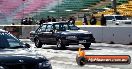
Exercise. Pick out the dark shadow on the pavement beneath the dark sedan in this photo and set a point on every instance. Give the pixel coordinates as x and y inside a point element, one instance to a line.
<point>67,48</point>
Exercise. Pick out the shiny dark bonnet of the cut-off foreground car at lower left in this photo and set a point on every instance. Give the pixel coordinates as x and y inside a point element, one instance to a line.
<point>19,56</point>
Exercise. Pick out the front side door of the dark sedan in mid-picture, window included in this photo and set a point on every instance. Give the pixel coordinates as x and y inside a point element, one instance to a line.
<point>49,34</point>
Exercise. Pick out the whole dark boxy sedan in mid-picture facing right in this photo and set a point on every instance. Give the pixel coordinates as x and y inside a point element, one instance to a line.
<point>61,34</point>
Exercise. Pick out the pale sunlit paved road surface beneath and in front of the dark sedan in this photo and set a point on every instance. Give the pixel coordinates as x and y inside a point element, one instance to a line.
<point>65,59</point>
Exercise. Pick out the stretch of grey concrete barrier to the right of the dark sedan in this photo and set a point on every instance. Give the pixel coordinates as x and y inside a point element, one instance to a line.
<point>116,34</point>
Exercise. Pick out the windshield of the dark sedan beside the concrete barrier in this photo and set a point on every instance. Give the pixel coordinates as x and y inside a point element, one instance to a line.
<point>65,26</point>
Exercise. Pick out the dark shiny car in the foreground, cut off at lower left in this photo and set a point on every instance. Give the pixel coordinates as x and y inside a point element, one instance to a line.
<point>15,55</point>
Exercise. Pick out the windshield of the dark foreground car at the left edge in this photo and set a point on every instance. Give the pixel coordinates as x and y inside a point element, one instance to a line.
<point>7,40</point>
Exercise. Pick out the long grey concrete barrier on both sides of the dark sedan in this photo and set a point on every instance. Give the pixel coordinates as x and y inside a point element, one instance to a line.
<point>116,34</point>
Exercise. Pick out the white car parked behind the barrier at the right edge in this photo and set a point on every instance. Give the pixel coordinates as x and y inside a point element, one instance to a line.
<point>117,20</point>
